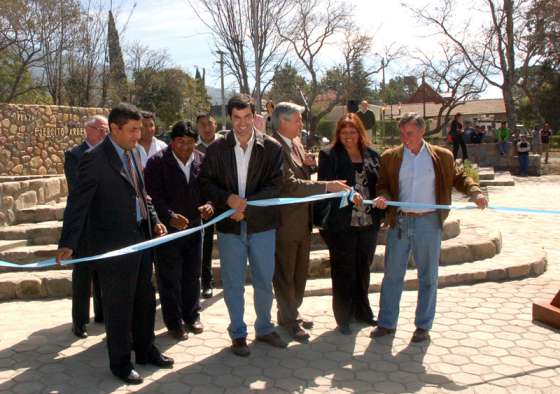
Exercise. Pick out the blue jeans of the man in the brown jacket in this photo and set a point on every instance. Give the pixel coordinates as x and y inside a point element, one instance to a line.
<point>421,236</point>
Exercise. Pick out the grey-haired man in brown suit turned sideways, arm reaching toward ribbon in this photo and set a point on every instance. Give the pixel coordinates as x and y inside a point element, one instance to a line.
<point>293,238</point>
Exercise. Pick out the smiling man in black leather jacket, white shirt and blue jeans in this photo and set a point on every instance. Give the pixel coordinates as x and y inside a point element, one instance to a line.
<point>245,165</point>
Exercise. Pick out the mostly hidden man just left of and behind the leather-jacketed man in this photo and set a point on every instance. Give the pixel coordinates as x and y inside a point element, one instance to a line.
<point>206,128</point>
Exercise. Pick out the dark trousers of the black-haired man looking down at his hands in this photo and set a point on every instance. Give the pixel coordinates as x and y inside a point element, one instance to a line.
<point>178,273</point>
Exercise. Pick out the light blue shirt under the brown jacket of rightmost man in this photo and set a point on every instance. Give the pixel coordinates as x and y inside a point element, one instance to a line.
<point>417,179</point>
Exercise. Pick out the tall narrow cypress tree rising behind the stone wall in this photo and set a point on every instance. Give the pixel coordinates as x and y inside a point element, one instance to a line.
<point>118,84</point>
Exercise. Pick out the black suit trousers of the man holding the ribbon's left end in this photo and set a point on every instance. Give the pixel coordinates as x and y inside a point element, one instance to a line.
<point>129,307</point>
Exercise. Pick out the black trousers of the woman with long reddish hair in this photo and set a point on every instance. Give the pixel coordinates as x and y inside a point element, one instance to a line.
<point>351,254</point>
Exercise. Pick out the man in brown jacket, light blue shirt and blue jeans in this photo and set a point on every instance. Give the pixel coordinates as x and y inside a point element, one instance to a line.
<point>416,172</point>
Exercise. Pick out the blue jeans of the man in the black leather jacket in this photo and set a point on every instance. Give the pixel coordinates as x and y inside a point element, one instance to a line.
<point>234,251</point>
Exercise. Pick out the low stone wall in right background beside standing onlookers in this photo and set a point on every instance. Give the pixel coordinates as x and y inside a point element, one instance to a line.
<point>488,155</point>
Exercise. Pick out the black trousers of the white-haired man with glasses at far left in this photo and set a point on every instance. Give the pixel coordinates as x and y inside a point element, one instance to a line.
<point>83,275</point>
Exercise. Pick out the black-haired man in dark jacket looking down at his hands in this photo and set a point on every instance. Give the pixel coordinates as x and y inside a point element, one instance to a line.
<point>172,182</point>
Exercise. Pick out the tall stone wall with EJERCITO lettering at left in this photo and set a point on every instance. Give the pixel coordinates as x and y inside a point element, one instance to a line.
<point>33,138</point>
